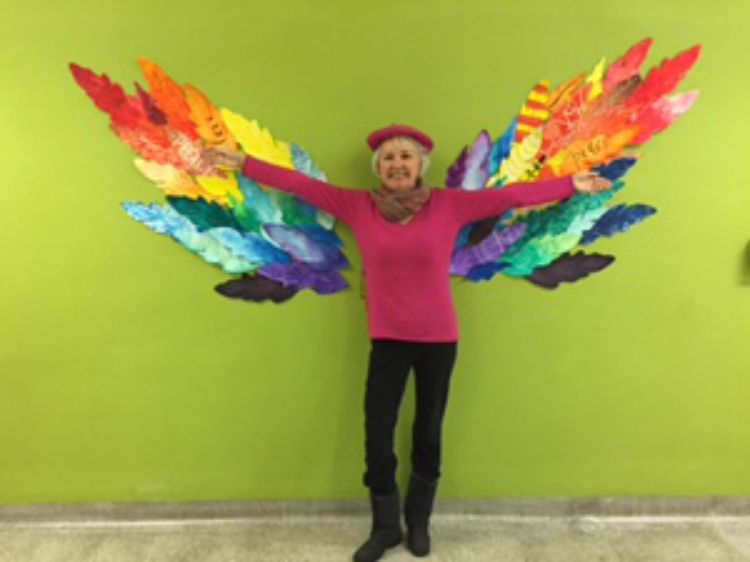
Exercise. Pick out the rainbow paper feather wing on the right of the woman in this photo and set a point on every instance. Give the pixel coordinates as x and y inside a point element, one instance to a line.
<point>593,122</point>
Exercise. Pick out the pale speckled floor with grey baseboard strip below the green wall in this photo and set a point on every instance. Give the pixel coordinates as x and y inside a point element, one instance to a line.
<point>332,535</point>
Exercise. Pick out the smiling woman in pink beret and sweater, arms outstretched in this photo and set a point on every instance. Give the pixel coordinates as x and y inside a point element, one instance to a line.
<point>406,233</point>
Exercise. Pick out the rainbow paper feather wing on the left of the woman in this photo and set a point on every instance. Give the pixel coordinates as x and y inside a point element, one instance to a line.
<point>277,243</point>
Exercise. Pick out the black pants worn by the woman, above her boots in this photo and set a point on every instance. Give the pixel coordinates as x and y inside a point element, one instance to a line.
<point>390,363</point>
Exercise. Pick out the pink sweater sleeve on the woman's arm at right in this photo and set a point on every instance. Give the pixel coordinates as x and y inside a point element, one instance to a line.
<point>470,206</point>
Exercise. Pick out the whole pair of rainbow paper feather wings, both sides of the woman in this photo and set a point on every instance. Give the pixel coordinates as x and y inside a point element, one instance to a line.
<point>277,244</point>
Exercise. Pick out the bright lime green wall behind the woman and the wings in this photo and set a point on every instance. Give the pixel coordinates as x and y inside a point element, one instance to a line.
<point>124,377</point>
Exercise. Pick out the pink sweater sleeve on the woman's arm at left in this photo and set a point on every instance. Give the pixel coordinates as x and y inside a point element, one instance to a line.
<point>341,203</point>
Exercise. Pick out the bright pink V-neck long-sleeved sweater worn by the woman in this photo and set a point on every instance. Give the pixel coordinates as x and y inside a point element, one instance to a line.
<point>407,265</point>
